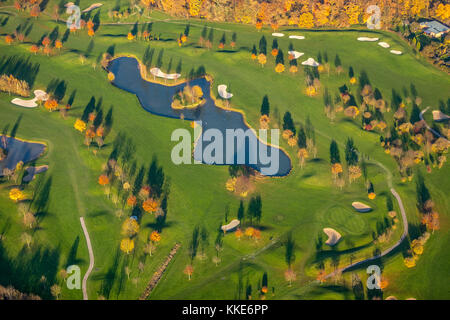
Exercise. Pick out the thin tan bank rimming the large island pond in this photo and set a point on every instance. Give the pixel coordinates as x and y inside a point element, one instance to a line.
<point>210,79</point>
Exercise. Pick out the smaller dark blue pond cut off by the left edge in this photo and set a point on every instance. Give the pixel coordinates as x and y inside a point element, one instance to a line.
<point>19,150</point>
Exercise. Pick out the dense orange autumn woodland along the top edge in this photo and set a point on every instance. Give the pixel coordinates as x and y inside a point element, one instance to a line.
<point>305,13</point>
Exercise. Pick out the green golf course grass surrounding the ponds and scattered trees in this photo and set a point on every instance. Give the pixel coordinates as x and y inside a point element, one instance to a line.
<point>302,203</point>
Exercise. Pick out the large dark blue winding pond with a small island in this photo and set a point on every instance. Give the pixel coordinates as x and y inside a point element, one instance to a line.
<point>157,98</point>
